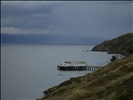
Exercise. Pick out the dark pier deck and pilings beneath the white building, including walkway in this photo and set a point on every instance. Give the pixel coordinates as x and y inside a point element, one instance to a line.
<point>73,68</point>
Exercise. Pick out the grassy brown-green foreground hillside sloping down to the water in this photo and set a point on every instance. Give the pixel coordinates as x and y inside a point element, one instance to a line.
<point>111,82</point>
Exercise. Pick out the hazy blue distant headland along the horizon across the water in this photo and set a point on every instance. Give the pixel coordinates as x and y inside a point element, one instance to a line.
<point>48,39</point>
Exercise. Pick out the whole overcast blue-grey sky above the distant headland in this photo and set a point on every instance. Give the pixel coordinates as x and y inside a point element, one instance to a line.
<point>104,19</point>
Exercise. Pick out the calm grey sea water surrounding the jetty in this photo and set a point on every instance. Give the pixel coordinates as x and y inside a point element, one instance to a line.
<point>28,70</point>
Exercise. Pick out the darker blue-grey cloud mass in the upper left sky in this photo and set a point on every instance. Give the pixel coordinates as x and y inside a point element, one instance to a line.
<point>25,15</point>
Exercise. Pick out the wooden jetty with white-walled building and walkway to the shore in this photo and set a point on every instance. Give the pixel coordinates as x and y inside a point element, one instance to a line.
<point>76,65</point>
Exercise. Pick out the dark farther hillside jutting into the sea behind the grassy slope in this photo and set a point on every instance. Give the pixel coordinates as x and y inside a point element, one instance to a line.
<point>121,44</point>
